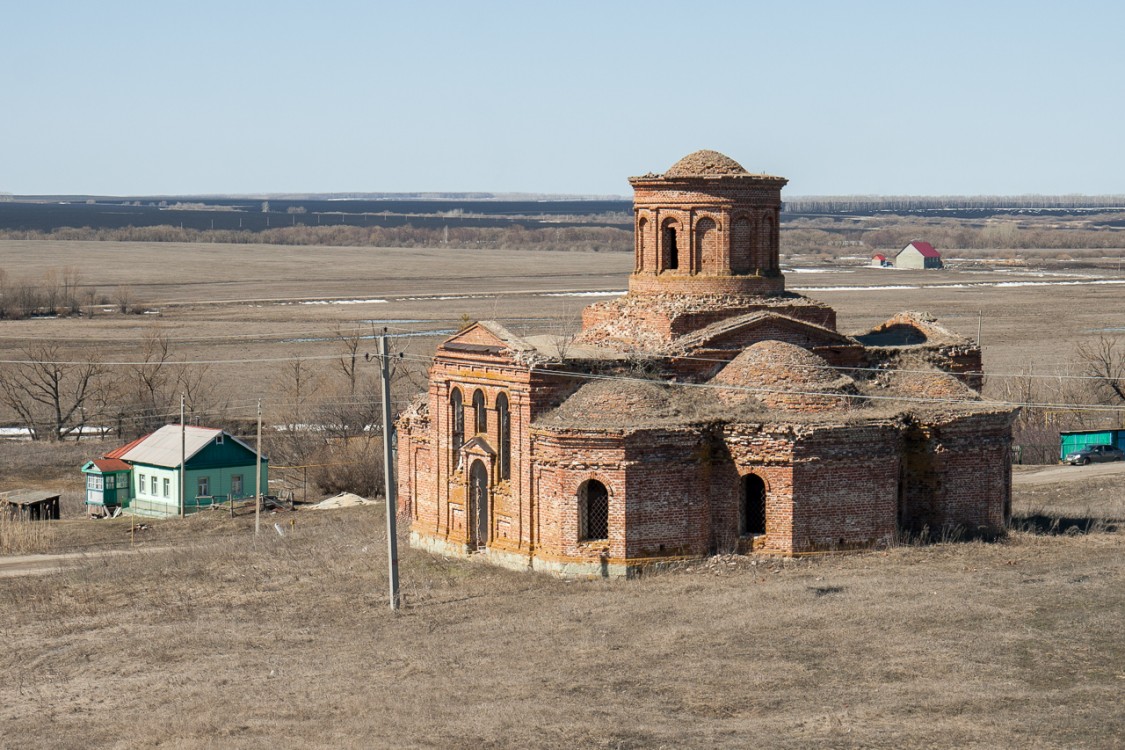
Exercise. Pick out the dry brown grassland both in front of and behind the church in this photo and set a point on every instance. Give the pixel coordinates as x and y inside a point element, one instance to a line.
<point>197,635</point>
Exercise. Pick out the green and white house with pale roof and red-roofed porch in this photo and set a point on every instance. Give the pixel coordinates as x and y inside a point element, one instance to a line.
<point>217,467</point>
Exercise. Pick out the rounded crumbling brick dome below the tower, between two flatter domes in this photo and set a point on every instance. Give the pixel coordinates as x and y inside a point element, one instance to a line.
<point>786,377</point>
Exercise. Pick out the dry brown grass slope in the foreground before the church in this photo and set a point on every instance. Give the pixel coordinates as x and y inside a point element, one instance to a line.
<point>205,637</point>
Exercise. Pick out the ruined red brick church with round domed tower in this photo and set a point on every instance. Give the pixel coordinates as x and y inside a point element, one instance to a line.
<point>707,411</point>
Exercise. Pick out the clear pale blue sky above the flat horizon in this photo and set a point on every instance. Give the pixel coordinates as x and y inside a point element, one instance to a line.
<point>197,97</point>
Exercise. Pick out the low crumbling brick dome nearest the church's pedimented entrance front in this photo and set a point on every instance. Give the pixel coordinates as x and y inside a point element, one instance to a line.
<point>623,403</point>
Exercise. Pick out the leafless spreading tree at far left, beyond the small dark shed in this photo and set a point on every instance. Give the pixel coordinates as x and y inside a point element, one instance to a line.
<point>53,399</point>
